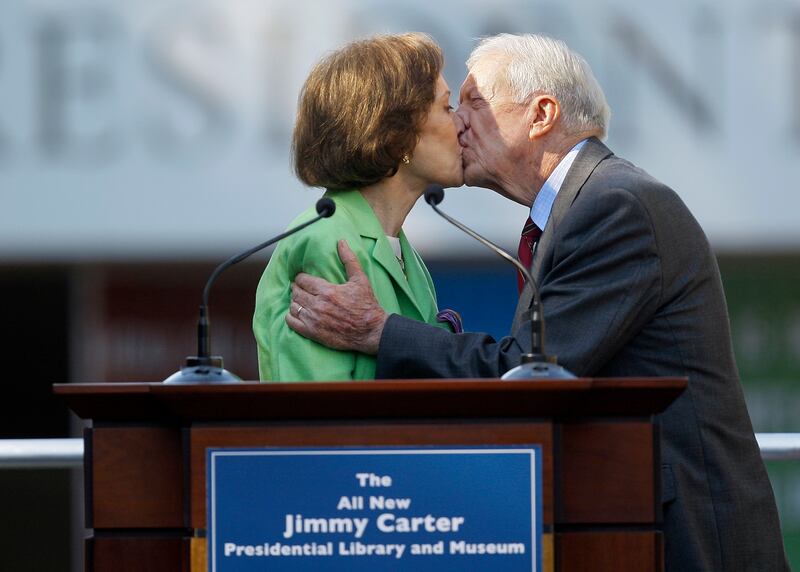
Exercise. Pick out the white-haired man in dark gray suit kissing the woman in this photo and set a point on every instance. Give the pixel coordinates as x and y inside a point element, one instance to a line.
<point>629,285</point>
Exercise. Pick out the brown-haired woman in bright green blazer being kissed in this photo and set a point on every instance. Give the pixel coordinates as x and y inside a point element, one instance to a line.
<point>374,127</point>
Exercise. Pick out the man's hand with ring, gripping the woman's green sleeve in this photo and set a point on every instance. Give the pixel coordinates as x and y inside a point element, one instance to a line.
<point>341,316</point>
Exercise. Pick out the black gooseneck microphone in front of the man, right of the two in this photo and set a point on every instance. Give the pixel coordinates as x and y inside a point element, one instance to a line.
<point>533,365</point>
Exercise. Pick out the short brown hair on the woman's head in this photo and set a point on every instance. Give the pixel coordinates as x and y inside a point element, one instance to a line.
<point>361,109</point>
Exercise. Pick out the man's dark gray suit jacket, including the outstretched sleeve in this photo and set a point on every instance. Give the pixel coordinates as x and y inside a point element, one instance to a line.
<point>630,287</point>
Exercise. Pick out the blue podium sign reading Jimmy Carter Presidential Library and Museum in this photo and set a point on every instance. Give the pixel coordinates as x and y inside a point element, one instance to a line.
<point>387,508</point>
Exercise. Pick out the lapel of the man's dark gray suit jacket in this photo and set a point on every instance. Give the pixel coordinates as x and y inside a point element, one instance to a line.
<point>590,155</point>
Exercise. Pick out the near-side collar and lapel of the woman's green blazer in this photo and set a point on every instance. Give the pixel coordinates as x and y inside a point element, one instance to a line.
<point>370,227</point>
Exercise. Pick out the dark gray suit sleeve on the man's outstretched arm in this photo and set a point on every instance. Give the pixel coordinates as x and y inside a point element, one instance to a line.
<point>602,284</point>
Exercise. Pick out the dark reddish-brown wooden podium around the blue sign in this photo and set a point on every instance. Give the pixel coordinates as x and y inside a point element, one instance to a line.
<point>145,454</point>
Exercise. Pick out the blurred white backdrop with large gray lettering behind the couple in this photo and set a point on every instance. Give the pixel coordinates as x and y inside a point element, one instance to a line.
<point>152,129</point>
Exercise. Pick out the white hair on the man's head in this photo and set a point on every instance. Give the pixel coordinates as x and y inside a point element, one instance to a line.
<point>539,65</point>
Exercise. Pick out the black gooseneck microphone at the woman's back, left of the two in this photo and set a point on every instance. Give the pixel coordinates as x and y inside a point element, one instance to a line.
<point>205,368</point>
